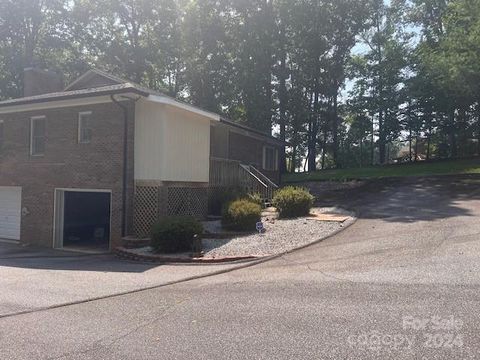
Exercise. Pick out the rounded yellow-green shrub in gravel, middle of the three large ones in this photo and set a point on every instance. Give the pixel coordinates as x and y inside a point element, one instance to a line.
<point>241,215</point>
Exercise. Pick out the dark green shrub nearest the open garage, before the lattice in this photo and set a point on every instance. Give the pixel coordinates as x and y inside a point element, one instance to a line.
<point>175,234</point>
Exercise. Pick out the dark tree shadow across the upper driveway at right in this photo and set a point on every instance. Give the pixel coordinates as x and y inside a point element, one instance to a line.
<point>408,200</point>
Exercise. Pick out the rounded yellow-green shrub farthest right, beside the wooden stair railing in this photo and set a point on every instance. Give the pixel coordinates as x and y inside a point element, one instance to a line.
<point>293,202</point>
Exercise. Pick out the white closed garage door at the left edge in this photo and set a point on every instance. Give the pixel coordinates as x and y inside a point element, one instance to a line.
<point>10,212</point>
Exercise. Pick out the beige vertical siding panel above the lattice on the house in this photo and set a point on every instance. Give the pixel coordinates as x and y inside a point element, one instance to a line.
<point>171,144</point>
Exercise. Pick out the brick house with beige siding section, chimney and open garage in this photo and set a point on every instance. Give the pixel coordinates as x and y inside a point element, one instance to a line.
<point>104,158</point>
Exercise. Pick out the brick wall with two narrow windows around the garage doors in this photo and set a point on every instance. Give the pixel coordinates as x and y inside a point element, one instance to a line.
<point>66,164</point>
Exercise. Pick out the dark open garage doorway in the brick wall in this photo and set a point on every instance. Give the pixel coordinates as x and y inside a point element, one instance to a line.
<point>87,220</point>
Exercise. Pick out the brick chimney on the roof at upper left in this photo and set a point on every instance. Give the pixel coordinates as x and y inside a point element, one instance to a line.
<point>37,82</point>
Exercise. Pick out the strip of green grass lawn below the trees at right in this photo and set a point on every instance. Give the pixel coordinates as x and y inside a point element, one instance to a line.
<point>471,166</point>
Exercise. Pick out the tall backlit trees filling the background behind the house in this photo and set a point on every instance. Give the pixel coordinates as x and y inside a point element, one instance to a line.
<point>346,82</point>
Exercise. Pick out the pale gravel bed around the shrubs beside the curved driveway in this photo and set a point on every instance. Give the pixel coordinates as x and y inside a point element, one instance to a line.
<point>281,236</point>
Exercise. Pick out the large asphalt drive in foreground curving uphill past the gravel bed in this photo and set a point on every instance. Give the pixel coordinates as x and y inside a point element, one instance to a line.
<point>402,283</point>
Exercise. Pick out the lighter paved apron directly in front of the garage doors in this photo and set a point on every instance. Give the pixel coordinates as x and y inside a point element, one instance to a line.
<point>37,278</point>
